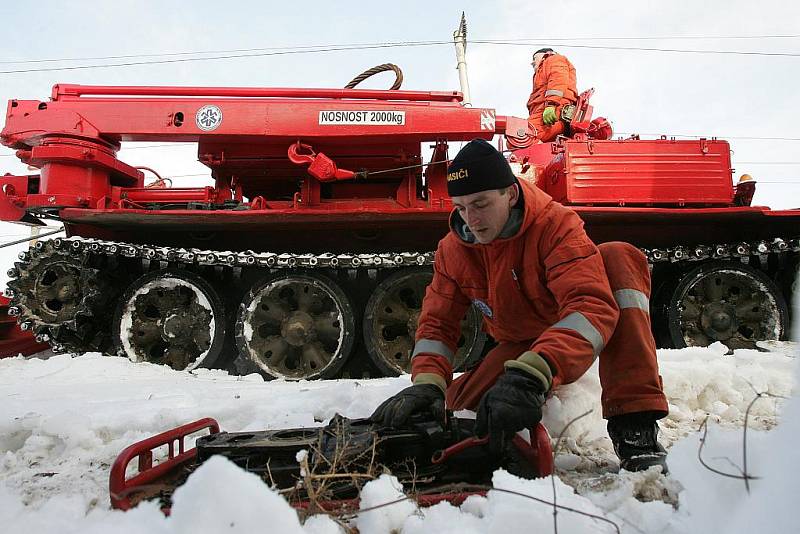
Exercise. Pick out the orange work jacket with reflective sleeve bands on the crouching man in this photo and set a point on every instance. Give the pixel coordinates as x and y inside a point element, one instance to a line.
<point>546,285</point>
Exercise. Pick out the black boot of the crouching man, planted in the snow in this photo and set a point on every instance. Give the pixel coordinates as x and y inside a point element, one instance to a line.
<point>634,438</point>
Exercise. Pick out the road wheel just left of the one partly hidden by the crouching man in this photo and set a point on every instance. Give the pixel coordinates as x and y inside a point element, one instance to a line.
<point>297,326</point>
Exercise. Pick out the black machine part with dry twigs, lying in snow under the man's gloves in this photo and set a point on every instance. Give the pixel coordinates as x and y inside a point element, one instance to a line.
<point>413,454</point>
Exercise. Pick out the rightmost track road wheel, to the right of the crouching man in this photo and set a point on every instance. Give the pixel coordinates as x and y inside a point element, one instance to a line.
<point>728,302</point>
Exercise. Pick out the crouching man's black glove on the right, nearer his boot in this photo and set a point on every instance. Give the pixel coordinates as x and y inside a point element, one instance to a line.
<point>512,404</point>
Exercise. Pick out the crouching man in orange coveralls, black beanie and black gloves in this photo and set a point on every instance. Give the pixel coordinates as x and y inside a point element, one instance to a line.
<point>551,299</point>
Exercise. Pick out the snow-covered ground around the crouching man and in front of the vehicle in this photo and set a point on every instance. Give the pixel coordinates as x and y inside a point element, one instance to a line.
<point>64,419</point>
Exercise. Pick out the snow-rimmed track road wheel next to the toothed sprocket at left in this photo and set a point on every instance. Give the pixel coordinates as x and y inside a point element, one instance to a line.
<point>172,318</point>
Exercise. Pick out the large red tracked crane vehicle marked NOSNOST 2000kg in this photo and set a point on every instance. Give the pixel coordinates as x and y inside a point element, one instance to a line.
<point>313,247</point>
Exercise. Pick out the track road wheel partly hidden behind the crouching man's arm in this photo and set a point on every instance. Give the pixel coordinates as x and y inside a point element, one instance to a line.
<point>390,324</point>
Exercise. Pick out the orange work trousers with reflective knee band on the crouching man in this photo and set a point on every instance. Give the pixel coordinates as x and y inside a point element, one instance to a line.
<point>628,364</point>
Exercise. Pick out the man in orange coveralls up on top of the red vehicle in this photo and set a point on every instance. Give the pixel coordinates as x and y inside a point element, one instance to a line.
<point>554,86</point>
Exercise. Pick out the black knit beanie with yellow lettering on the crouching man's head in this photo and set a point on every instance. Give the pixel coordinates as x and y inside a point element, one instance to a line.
<point>478,166</point>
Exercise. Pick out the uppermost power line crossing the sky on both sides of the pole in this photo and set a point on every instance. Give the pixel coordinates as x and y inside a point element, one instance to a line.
<point>307,47</point>
